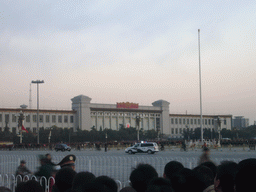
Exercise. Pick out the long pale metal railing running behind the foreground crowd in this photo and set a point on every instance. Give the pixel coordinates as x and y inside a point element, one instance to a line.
<point>116,167</point>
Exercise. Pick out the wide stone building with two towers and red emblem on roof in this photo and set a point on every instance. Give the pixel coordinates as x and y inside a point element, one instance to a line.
<point>85,115</point>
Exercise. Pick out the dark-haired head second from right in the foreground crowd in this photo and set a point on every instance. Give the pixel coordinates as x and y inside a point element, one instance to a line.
<point>225,178</point>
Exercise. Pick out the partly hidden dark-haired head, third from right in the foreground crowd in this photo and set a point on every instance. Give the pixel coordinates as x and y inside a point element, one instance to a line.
<point>206,175</point>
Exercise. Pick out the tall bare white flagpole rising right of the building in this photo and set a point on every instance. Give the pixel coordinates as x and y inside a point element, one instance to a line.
<point>200,89</point>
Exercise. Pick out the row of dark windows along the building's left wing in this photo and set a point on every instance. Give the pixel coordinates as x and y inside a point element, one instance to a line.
<point>33,118</point>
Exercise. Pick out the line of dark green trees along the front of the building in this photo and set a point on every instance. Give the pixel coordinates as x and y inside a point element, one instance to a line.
<point>123,134</point>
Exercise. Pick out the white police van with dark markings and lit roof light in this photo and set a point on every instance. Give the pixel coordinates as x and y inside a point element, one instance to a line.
<point>149,148</point>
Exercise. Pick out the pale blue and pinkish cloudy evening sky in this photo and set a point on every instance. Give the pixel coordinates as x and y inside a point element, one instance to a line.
<point>137,51</point>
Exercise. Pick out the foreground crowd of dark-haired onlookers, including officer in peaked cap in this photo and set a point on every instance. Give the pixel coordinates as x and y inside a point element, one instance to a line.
<point>206,177</point>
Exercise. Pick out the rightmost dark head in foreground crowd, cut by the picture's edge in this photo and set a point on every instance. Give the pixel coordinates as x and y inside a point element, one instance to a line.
<point>245,176</point>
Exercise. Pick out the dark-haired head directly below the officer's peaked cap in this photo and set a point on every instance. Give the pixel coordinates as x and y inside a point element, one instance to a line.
<point>64,178</point>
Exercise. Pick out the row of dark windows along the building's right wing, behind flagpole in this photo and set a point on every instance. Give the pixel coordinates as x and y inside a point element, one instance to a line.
<point>194,121</point>
